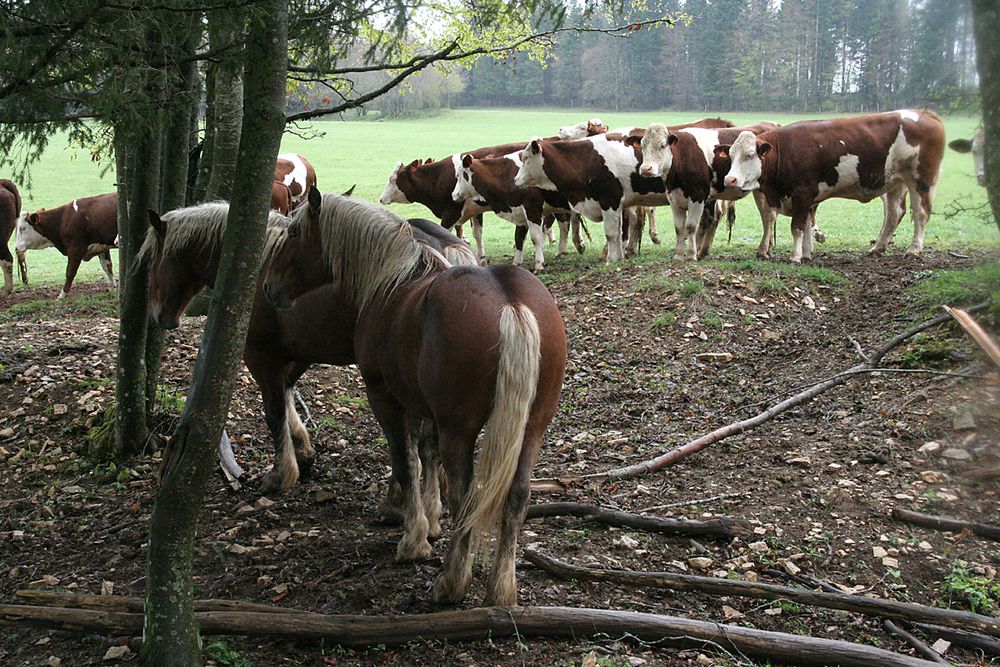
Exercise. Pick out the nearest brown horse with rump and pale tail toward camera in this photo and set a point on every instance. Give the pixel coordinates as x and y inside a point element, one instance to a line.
<point>473,349</point>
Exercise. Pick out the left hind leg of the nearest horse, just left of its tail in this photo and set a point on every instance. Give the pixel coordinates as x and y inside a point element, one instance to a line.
<point>456,457</point>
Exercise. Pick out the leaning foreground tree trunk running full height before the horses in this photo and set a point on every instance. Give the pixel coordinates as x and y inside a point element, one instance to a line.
<point>170,630</point>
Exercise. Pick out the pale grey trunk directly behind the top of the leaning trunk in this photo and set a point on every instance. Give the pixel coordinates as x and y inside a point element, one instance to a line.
<point>224,29</point>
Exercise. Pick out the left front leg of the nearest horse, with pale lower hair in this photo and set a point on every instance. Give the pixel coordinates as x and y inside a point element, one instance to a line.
<point>406,470</point>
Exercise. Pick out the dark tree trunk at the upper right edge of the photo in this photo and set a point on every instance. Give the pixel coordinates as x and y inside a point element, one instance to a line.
<point>986,17</point>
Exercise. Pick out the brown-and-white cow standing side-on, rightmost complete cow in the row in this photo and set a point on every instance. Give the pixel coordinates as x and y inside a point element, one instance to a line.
<point>800,165</point>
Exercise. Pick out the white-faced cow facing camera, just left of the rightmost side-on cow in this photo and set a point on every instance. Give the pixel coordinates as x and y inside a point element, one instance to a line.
<point>683,159</point>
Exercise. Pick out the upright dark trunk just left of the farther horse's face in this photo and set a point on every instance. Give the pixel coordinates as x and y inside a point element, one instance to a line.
<point>142,172</point>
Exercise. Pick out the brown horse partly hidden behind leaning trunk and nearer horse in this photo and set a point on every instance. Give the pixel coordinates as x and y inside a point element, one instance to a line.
<point>182,249</point>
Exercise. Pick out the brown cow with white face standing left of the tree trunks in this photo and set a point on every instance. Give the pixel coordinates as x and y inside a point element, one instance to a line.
<point>81,230</point>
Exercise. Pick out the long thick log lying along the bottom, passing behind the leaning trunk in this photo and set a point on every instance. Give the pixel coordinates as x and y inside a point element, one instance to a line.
<point>357,631</point>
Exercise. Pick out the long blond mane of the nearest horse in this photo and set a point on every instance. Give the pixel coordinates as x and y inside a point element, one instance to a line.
<point>369,250</point>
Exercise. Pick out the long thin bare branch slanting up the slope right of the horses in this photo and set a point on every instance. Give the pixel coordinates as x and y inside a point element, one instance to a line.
<point>735,428</point>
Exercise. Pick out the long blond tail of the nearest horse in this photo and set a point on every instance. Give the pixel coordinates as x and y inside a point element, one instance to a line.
<point>517,382</point>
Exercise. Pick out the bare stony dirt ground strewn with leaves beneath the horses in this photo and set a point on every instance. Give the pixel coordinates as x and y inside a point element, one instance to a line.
<point>815,487</point>
